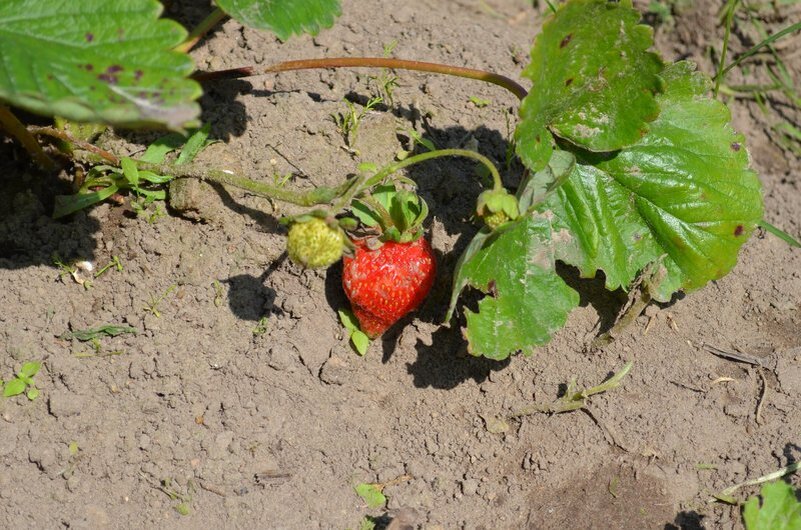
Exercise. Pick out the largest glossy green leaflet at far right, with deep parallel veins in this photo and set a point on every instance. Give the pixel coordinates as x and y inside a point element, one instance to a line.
<point>680,202</point>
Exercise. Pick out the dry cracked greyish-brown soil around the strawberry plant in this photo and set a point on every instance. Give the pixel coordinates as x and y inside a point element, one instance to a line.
<point>241,392</point>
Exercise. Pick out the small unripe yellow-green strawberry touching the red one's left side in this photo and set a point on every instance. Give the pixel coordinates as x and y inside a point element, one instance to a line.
<point>314,243</point>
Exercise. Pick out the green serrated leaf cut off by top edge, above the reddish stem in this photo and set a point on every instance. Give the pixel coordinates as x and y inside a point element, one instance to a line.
<point>283,17</point>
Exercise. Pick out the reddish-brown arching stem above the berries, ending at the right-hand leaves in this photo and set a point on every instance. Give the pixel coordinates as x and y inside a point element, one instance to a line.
<point>369,62</point>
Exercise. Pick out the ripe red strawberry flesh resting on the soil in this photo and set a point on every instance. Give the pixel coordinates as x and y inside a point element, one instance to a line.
<point>385,284</point>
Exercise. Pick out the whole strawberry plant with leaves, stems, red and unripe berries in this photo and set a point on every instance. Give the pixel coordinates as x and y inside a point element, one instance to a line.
<point>632,167</point>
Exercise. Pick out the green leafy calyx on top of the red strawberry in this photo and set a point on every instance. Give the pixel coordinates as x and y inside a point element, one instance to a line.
<point>397,214</point>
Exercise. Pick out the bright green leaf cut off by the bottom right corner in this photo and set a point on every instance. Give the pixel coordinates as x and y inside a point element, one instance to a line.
<point>780,510</point>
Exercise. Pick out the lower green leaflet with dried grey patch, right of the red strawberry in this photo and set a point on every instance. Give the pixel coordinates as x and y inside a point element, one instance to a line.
<point>527,300</point>
